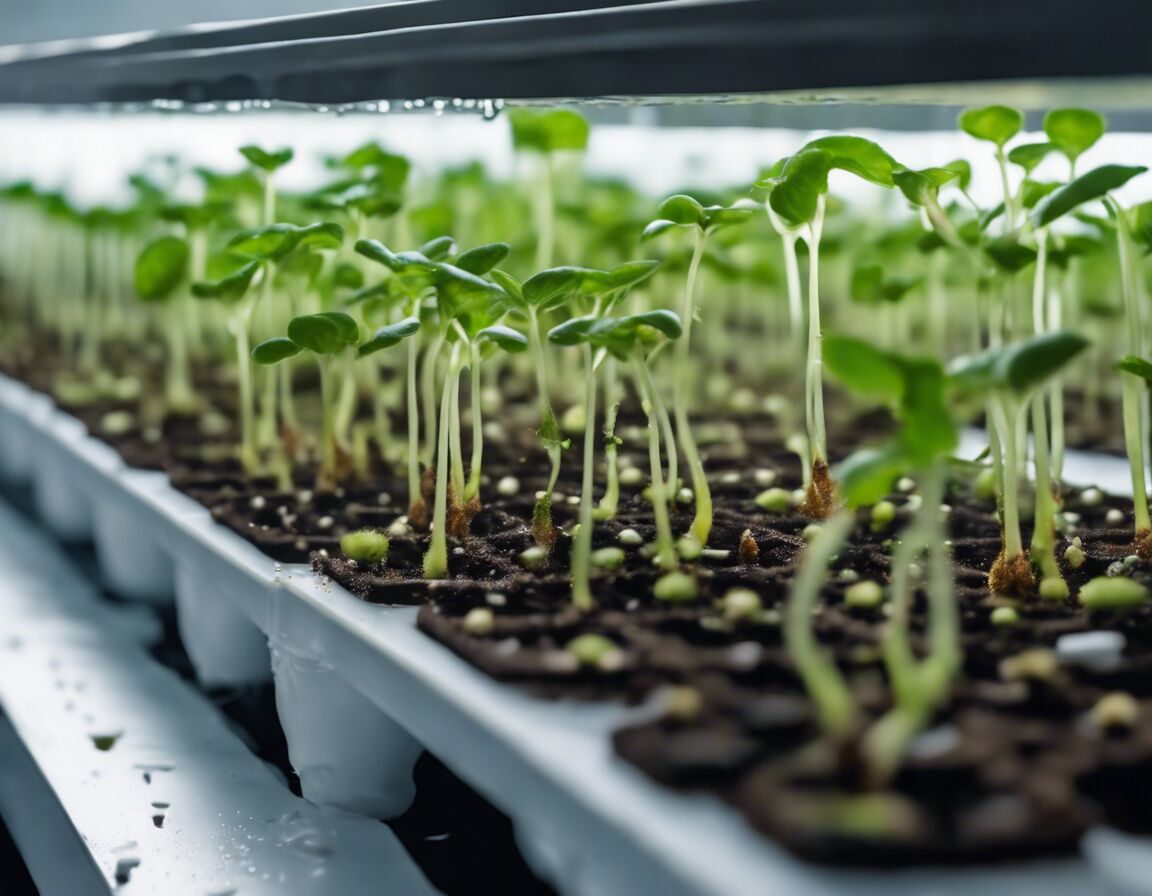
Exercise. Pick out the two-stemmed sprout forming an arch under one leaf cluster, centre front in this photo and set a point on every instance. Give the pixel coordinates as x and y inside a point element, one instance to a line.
<point>630,339</point>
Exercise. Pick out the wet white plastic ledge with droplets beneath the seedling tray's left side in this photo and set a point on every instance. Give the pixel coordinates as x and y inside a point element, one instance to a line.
<point>179,804</point>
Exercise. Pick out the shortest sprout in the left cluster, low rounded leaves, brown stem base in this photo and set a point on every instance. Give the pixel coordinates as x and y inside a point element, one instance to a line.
<point>330,337</point>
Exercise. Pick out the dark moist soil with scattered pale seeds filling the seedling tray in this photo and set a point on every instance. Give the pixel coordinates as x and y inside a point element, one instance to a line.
<point>1020,761</point>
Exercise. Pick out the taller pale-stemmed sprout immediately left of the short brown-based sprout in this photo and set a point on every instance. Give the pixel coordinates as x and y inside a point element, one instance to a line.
<point>264,248</point>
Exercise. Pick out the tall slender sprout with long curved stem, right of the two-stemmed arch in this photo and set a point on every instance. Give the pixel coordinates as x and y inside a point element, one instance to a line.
<point>685,211</point>
